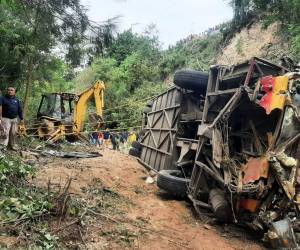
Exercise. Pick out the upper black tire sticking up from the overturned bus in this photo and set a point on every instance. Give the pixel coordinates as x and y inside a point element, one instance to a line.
<point>192,80</point>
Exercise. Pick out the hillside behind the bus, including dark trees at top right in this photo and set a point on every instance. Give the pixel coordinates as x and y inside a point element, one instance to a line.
<point>135,67</point>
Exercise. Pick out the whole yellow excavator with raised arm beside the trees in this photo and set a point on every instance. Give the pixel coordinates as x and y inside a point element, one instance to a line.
<point>62,115</point>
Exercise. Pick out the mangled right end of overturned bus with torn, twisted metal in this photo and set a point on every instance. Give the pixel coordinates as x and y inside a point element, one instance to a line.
<point>255,147</point>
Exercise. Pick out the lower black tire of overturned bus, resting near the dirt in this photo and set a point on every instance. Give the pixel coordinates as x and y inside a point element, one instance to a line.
<point>173,182</point>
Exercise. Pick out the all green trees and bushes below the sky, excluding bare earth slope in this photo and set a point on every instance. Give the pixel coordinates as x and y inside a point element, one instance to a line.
<point>134,66</point>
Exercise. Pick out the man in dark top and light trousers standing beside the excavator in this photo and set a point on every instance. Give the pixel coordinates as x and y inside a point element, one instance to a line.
<point>10,110</point>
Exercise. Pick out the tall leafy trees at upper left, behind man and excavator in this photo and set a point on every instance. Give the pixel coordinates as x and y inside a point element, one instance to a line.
<point>36,34</point>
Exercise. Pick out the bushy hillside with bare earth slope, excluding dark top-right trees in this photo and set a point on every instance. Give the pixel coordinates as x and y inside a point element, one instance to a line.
<point>136,68</point>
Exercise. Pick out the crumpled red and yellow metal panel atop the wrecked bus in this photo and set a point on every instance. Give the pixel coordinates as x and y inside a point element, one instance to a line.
<point>275,88</point>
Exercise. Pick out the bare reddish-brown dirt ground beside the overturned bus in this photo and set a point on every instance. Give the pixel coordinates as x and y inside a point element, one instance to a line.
<point>142,216</point>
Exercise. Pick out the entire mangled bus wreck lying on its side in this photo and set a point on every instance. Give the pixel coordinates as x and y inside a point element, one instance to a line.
<point>229,140</point>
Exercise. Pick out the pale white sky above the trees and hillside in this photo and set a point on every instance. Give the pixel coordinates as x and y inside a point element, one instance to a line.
<point>174,19</point>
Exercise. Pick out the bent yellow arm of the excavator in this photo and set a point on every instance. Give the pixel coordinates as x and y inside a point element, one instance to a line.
<point>81,105</point>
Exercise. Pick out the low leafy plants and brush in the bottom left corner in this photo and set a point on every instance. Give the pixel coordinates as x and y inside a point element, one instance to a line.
<point>25,208</point>
